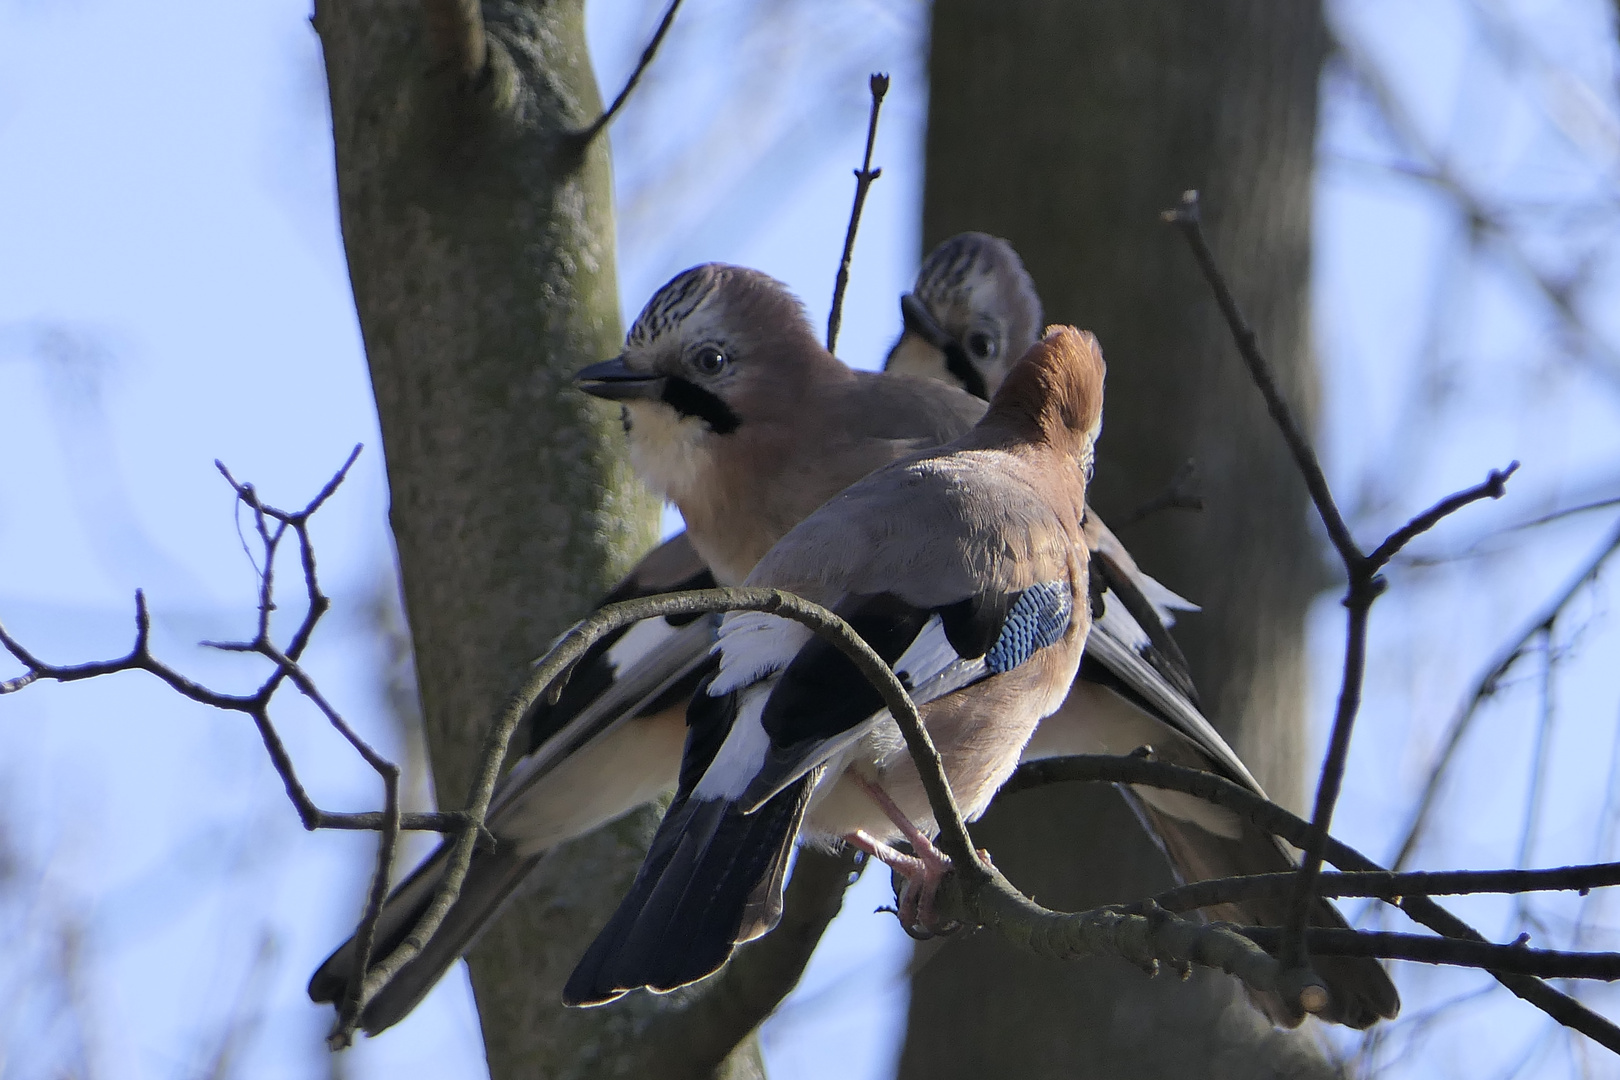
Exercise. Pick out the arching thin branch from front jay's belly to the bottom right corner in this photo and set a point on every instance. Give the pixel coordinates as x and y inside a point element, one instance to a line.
<point>1273,819</point>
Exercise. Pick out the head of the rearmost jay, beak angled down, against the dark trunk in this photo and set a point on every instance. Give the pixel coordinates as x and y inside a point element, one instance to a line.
<point>973,313</point>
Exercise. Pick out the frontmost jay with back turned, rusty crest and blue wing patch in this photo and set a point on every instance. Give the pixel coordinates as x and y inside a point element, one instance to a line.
<point>966,569</point>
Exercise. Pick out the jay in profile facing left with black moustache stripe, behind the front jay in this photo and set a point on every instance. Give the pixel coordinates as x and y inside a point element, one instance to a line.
<point>722,380</point>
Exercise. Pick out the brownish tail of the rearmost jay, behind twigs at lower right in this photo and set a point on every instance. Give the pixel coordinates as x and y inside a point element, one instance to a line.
<point>1360,989</point>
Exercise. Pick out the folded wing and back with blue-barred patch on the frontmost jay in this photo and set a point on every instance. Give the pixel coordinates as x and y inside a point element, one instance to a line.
<point>950,569</point>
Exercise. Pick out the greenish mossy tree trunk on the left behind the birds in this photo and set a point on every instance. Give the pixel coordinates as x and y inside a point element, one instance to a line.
<point>482,253</point>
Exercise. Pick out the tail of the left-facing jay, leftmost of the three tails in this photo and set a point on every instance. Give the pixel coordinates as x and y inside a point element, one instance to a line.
<point>492,880</point>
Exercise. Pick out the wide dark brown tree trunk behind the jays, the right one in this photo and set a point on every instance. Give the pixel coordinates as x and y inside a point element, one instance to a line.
<point>1067,127</point>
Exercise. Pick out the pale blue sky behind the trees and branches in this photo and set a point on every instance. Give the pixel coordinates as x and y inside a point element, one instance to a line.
<point>173,292</point>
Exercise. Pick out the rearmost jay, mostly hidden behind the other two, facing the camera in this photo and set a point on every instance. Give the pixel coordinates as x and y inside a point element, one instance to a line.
<point>973,307</point>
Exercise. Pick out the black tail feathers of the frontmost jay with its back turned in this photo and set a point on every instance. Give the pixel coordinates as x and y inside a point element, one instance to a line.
<point>712,880</point>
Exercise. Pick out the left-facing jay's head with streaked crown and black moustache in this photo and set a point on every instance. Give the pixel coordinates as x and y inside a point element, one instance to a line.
<point>714,351</point>
